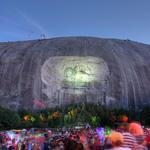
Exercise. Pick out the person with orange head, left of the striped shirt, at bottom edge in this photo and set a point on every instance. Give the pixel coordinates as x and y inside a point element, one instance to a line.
<point>117,141</point>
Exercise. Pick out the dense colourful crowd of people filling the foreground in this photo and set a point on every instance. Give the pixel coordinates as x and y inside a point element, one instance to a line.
<point>126,137</point>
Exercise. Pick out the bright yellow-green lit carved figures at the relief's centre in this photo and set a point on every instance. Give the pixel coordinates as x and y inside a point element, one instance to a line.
<point>79,74</point>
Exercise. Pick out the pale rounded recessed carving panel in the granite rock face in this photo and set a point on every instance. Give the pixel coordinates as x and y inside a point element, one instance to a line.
<point>73,77</point>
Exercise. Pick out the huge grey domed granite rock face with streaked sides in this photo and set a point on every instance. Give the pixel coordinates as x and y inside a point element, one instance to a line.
<point>54,72</point>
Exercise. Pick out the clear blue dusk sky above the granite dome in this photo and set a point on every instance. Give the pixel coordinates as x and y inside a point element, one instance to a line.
<point>121,19</point>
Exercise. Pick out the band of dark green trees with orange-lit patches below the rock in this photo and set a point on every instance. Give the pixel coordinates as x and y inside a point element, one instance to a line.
<point>71,115</point>
